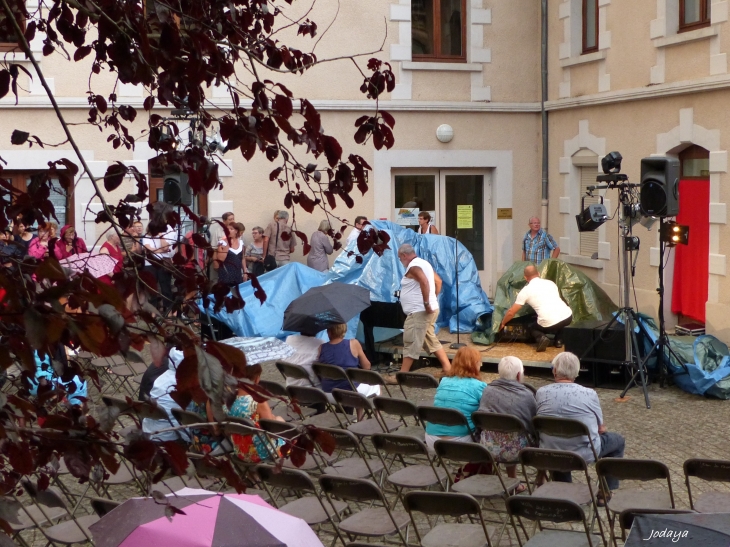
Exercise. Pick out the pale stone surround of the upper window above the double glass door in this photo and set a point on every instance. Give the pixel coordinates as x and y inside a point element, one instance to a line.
<point>477,55</point>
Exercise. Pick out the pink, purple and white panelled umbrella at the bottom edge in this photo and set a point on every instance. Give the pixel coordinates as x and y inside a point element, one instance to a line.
<point>210,520</point>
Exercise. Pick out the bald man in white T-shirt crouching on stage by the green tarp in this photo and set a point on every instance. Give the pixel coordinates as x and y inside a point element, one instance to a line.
<point>553,315</point>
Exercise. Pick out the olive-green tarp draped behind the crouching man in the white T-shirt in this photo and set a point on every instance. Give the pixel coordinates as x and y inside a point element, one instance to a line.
<point>587,300</point>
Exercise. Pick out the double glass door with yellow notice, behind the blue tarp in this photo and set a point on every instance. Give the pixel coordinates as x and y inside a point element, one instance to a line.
<point>441,193</point>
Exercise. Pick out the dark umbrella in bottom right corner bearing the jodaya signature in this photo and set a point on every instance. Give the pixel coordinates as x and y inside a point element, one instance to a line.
<point>708,530</point>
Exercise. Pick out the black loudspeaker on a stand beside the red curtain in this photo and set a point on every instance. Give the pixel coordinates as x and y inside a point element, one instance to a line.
<point>659,193</point>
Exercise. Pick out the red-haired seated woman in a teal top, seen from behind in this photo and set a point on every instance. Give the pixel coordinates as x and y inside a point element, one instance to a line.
<point>461,390</point>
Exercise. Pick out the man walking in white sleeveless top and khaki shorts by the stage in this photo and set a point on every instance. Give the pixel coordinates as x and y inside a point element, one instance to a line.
<point>419,288</point>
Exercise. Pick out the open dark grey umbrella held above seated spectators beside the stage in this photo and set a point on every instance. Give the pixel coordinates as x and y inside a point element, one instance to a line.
<point>322,307</point>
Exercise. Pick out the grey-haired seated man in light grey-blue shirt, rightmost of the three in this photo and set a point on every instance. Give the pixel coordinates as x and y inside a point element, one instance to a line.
<point>566,399</point>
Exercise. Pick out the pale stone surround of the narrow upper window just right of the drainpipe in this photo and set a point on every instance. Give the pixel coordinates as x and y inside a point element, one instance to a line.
<point>570,51</point>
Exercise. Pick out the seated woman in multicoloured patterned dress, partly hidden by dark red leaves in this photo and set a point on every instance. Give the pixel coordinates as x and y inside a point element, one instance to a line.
<point>253,448</point>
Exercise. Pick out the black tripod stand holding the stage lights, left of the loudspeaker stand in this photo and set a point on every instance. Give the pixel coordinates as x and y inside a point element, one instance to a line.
<point>625,314</point>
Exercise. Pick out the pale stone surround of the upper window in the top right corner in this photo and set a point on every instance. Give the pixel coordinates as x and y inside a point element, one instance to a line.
<point>664,33</point>
